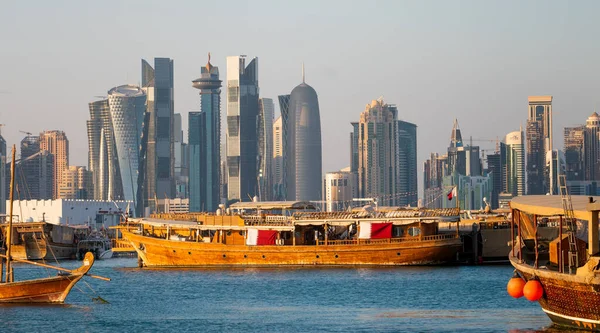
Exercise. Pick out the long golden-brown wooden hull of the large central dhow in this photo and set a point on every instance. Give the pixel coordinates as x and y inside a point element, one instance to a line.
<point>156,252</point>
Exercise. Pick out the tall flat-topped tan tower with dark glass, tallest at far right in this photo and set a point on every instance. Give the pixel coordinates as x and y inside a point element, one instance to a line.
<point>539,142</point>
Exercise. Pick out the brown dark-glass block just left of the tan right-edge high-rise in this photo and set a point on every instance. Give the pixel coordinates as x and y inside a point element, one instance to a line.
<point>574,153</point>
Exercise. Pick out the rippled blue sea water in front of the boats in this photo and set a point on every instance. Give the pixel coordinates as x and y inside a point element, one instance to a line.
<point>405,299</point>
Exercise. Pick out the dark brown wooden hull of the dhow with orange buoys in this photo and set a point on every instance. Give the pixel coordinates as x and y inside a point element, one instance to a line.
<point>569,300</point>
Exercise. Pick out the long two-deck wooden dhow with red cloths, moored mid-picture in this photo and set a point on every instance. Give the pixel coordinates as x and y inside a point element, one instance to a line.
<point>285,234</point>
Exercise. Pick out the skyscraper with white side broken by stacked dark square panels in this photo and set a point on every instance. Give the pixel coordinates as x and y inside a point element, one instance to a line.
<point>242,136</point>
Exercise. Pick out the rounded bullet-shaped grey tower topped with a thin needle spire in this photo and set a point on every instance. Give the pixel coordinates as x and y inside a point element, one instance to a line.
<point>303,148</point>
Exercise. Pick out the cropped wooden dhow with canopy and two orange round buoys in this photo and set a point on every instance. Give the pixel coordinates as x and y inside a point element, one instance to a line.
<point>562,275</point>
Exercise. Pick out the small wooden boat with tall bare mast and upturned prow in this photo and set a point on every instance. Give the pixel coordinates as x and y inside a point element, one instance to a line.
<point>41,290</point>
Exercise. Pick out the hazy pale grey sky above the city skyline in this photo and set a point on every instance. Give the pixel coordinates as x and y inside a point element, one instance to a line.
<point>476,61</point>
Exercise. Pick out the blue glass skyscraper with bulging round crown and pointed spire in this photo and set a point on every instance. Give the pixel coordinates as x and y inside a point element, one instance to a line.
<point>204,140</point>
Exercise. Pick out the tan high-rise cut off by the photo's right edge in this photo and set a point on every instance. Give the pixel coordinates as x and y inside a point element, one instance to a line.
<point>592,148</point>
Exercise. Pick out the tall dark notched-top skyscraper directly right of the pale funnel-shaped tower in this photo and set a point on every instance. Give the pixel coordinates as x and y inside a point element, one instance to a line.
<point>157,82</point>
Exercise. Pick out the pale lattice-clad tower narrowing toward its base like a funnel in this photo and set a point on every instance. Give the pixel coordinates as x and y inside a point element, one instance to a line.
<point>127,104</point>
